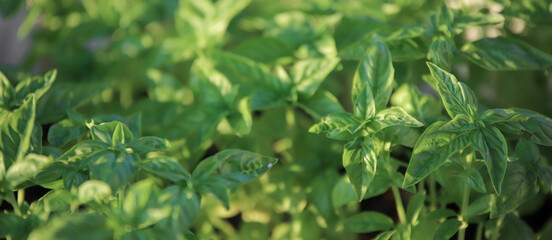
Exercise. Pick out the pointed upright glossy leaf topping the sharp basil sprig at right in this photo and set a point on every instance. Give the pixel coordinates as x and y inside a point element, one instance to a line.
<point>457,97</point>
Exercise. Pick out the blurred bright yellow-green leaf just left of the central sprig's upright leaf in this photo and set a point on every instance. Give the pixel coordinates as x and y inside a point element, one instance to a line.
<point>310,73</point>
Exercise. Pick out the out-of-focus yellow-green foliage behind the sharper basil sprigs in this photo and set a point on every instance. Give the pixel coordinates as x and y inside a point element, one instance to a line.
<point>144,58</point>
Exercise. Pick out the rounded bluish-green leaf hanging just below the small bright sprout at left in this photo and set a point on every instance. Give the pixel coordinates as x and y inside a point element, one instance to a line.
<point>115,170</point>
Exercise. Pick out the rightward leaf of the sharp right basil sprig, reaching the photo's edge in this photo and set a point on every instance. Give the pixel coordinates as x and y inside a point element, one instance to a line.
<point>521,122</point>
